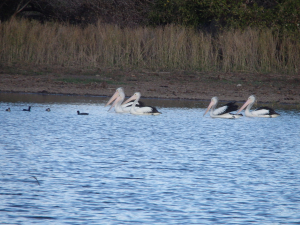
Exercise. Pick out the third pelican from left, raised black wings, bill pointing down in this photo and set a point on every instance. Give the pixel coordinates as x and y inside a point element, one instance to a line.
<point>222,112</point>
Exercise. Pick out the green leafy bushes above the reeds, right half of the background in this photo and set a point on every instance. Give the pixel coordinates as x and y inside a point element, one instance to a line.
<point>284,15</point>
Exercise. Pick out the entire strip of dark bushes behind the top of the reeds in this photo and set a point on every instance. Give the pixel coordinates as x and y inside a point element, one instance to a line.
<point>281,15</point>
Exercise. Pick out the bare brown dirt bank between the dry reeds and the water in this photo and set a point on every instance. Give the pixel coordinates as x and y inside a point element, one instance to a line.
<point>175,85</point>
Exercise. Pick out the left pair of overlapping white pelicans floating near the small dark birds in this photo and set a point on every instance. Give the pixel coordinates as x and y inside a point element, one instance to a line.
<point>131,105</point>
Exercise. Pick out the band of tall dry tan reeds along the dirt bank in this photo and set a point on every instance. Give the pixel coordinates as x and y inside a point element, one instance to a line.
<point>171,47</point>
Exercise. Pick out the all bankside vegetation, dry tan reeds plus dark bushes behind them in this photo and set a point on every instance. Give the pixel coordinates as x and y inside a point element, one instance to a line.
<point>230,35</point>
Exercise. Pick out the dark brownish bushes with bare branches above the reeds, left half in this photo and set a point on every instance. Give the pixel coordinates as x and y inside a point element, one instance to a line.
<point>121,12</point>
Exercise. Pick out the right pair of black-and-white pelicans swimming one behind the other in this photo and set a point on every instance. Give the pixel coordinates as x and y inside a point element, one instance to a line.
<point>226,111</point>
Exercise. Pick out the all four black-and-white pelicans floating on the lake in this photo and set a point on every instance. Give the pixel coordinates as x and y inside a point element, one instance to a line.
<point>134,106</point>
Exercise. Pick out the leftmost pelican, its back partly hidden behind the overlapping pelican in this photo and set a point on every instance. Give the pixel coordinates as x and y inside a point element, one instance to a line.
<point>118,98</point>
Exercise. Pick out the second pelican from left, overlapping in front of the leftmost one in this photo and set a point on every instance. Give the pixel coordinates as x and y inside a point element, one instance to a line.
<point>144,110</point>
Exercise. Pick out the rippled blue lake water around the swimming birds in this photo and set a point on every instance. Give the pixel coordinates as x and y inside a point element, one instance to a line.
<point>176,168</point>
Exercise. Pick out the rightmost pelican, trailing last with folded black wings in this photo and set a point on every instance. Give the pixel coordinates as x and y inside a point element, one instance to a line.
<point>259,112</point>
